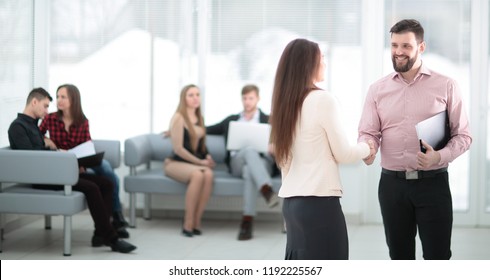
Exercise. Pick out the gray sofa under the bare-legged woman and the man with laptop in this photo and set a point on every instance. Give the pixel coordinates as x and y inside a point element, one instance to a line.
<point>142,150</point>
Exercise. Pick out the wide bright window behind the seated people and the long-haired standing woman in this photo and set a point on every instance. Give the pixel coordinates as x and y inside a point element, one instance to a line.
<point>131,58</point>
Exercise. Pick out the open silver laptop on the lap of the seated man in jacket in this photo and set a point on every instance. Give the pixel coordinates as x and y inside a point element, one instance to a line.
<point>248,134</point>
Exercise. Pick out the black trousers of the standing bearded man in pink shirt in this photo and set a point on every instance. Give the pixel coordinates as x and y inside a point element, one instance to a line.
<point>409,205</point>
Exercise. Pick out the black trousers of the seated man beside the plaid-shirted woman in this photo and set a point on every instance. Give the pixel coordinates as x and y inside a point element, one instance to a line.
<point>98,193</point>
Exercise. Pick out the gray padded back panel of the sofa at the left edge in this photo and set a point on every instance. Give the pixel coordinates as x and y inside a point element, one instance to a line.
<point>38,167</point>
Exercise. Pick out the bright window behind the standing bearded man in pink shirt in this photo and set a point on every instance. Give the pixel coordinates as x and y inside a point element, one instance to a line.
<point>448,52</point>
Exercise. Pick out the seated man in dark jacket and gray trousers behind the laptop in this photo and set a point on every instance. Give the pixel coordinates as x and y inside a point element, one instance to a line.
<point>254,167</point>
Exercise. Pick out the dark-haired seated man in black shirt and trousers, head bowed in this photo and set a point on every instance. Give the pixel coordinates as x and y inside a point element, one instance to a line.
<point>24,134</point>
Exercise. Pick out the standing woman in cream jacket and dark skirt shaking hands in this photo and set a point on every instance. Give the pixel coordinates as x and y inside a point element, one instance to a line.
<point>309,142</point>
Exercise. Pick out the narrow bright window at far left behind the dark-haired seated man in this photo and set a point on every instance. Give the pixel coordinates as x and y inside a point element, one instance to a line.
<point>16,60</point>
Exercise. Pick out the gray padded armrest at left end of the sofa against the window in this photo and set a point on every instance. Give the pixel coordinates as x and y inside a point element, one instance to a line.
<point>137,150</point>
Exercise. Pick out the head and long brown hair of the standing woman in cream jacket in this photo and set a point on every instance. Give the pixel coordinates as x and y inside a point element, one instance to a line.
<point>295,78</point>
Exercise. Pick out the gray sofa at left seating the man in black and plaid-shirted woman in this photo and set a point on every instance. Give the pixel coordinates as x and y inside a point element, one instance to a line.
<point>19,169</point>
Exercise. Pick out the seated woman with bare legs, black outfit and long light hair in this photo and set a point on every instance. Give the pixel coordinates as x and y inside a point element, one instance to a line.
<point>191,162</point>
